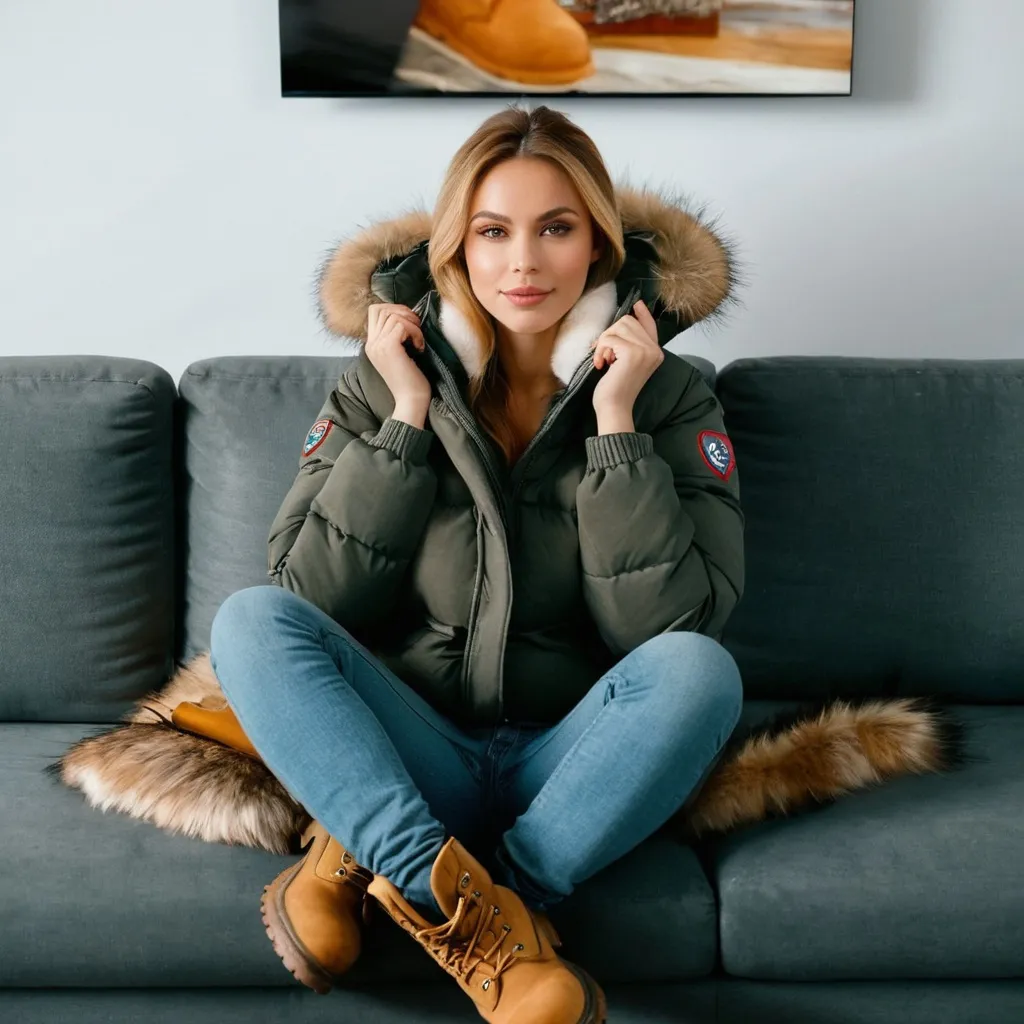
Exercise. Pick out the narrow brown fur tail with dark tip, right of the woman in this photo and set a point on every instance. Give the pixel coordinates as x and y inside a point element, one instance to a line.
<point>822,751</point>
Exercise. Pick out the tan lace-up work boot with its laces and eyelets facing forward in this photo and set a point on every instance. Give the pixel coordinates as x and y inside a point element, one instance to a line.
<point>495,947</point>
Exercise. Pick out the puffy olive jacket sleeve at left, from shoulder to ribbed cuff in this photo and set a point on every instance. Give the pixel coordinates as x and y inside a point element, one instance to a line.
<point>356,514</point>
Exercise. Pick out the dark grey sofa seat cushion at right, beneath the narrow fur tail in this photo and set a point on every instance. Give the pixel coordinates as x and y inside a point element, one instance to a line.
<point>920,878</point>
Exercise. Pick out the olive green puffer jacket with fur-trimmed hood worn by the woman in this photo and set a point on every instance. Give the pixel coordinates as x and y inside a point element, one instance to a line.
<point>502,595</point>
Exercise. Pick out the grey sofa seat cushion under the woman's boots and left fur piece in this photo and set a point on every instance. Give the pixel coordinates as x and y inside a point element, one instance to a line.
<point>104,900</point>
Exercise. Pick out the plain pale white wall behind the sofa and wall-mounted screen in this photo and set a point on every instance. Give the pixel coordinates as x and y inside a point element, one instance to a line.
<point>161,200</point>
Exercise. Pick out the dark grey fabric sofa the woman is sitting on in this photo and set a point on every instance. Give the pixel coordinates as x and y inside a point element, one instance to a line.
<point>885,539</point>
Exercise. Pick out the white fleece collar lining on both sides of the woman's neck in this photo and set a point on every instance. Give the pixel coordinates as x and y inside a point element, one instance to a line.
<point>582,325</point>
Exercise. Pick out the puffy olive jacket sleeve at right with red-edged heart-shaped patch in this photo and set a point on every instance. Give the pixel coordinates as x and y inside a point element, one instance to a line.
<point>661,528</point>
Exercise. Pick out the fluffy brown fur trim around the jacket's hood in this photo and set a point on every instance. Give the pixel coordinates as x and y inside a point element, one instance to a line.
<point>697,270</point>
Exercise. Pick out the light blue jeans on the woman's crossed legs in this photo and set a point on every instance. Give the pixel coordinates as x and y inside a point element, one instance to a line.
<point>541,807</point>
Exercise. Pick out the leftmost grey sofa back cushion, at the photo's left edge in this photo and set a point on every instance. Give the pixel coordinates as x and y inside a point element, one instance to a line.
<point>87,536</point>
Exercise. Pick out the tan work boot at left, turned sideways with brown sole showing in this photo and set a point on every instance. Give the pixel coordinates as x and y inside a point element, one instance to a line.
<point>314,911</point>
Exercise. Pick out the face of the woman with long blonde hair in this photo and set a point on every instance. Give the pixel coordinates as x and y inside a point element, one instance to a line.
<point>529,228</point>
